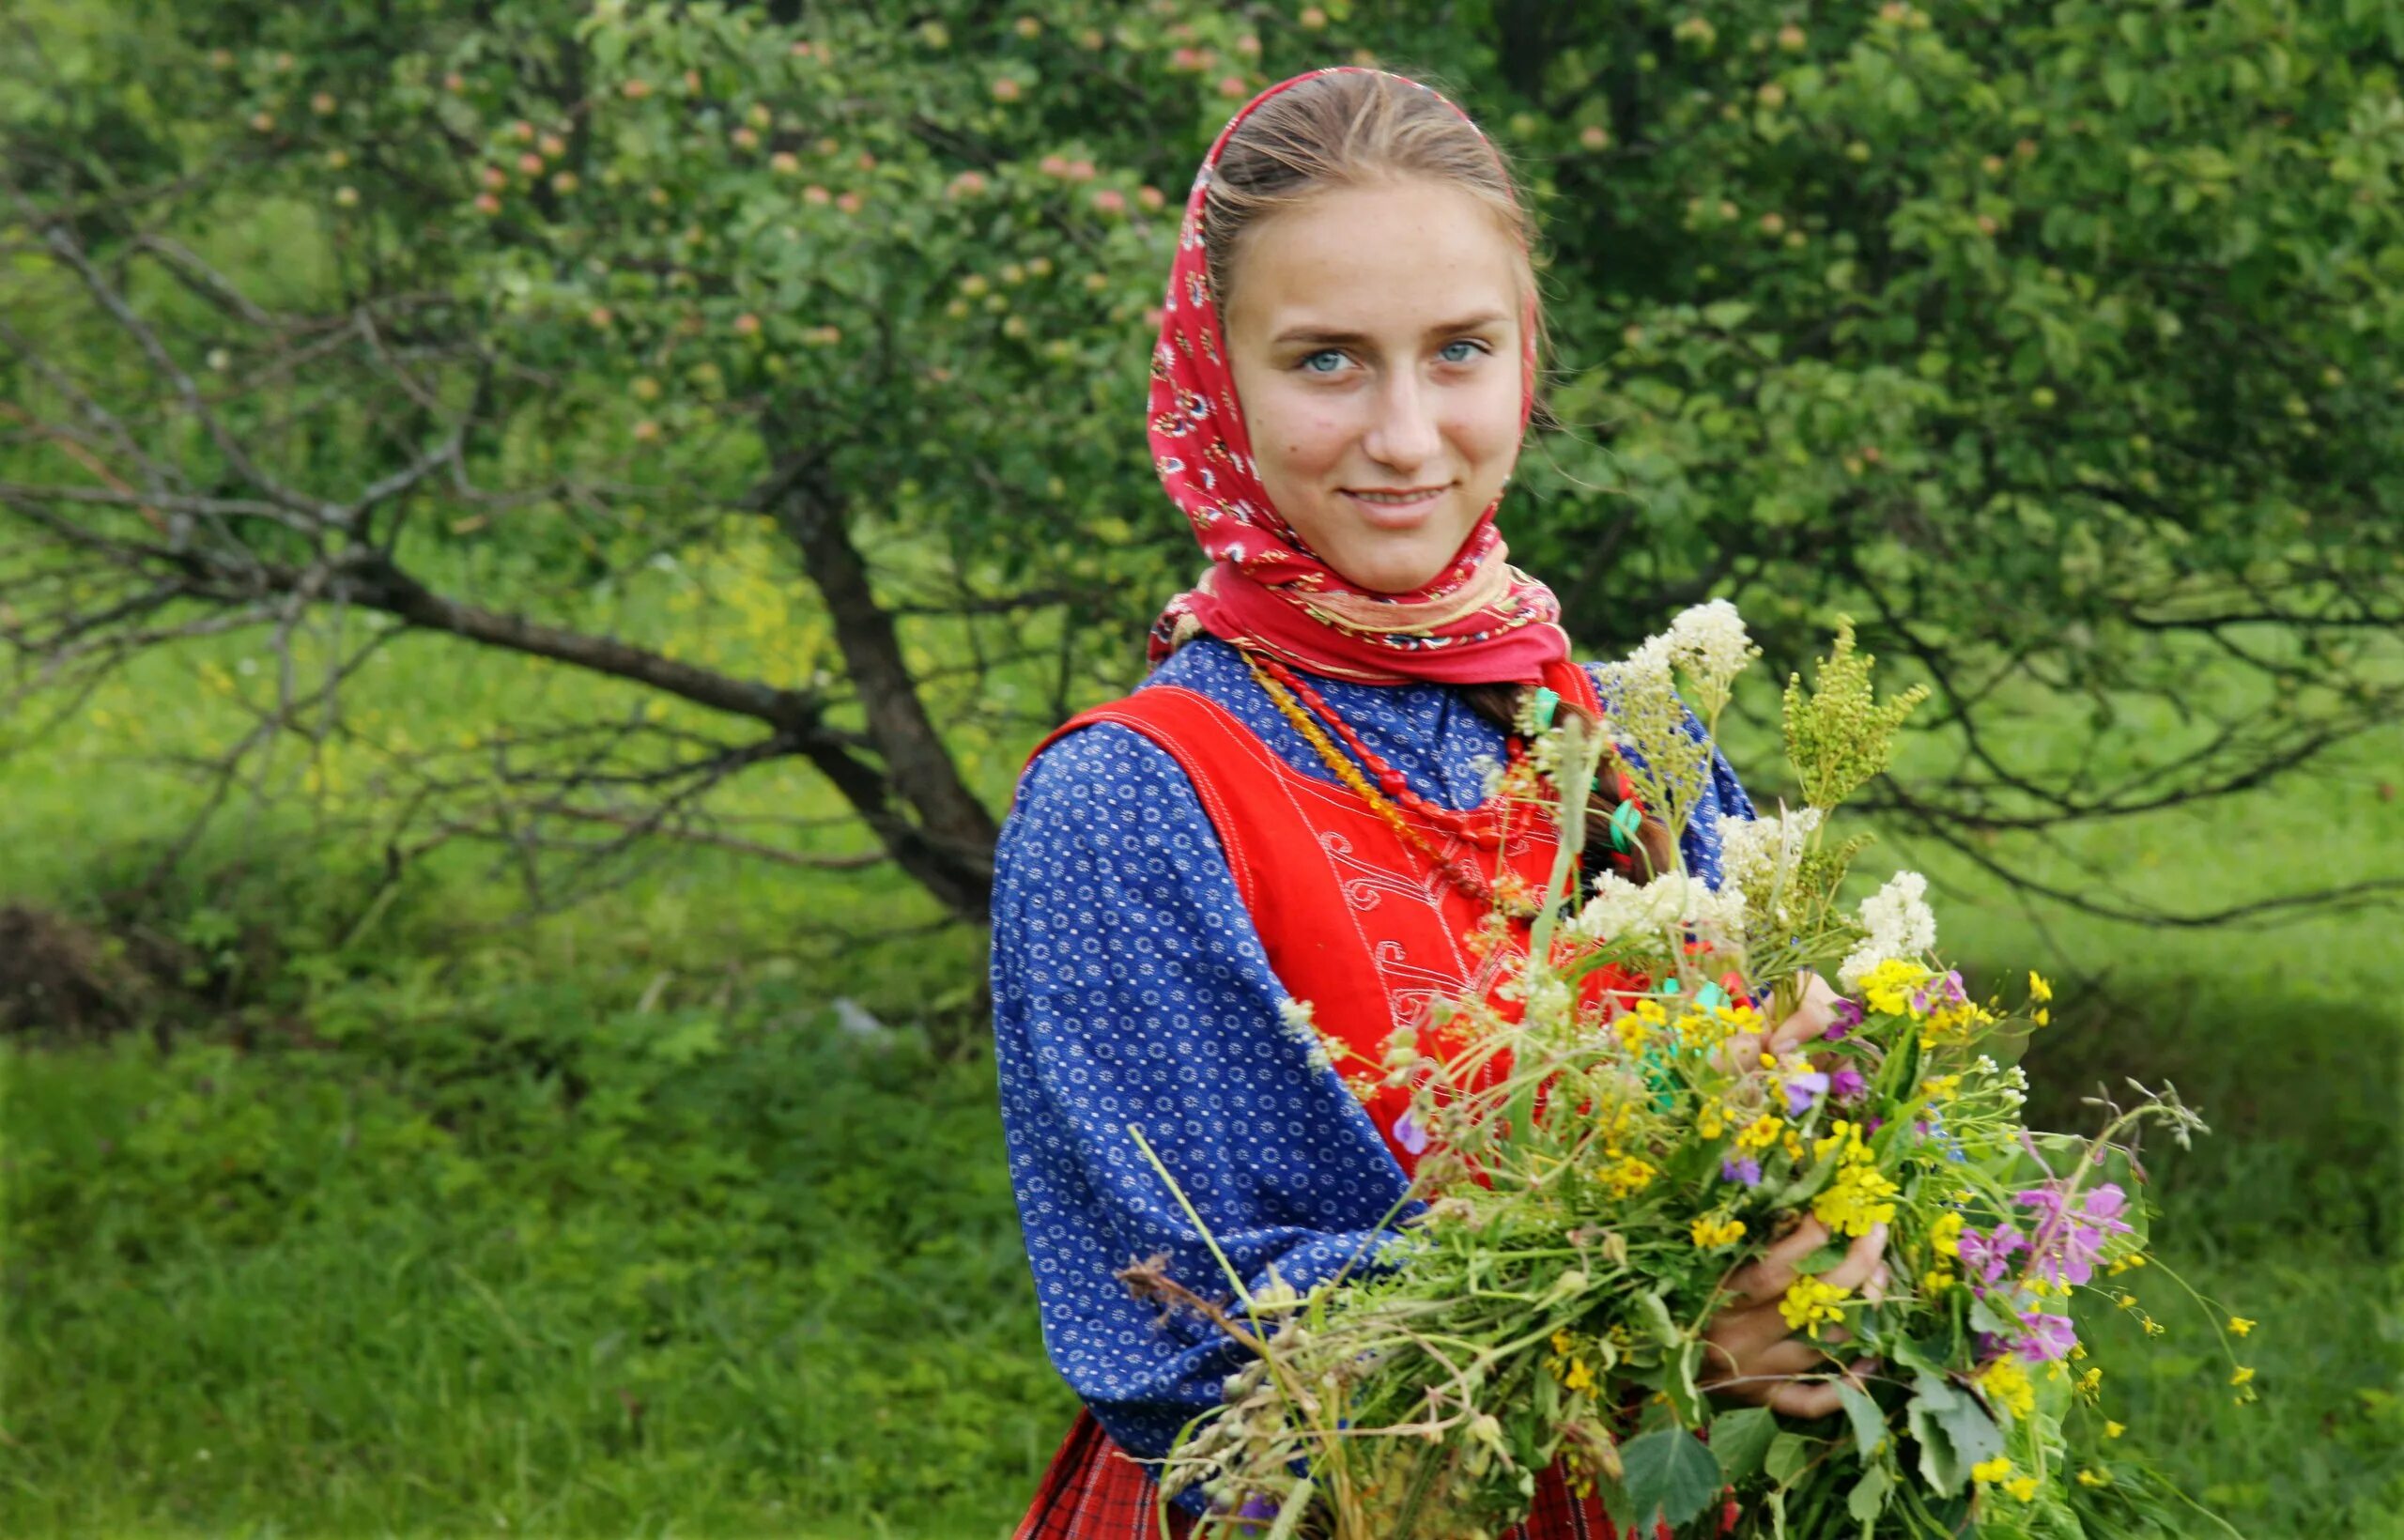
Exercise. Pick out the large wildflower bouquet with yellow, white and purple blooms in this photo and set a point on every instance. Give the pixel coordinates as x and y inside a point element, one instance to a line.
<point>1619,1147</point>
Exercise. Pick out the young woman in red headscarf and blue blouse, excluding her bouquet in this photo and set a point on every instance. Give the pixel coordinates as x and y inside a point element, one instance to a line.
<point>1292,808</point>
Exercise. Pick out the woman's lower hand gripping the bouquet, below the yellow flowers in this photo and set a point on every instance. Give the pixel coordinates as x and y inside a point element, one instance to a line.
<point>1749,1349</point>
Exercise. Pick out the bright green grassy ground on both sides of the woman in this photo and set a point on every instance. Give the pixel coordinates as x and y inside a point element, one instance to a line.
<point>609,1226</point>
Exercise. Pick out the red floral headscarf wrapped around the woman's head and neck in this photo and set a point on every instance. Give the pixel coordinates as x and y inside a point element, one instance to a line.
<point>1482,619</point>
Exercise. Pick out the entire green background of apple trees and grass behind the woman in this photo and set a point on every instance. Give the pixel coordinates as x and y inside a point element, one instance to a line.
<point>535,539</point>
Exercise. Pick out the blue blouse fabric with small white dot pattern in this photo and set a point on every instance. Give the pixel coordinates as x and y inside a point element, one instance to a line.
<point>1131,989</point>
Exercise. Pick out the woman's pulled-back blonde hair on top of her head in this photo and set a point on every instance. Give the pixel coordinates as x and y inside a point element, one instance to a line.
<point>1355,129</point>
